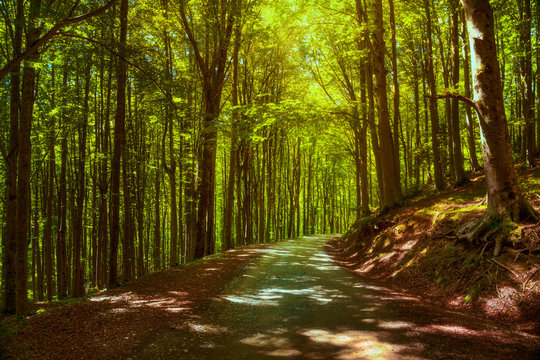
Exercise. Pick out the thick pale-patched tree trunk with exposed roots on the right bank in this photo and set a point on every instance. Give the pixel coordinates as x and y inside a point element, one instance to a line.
<point>504,198</point>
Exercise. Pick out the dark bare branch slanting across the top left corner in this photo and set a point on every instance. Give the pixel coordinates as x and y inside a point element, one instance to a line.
<point>28,52</point>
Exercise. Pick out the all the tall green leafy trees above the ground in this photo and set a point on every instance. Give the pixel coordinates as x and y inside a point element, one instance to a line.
<point>138,136</point>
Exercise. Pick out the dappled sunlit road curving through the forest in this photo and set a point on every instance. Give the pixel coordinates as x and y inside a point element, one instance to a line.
<point>295,302</point>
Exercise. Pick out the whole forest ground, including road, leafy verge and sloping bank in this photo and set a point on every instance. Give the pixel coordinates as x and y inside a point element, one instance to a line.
<point>406,289</point>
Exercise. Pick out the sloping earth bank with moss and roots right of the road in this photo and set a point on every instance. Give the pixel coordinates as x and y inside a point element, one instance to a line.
<point>415,249</point>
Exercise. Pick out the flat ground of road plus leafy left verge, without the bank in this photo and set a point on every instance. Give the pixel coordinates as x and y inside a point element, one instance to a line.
<point>290,300</point>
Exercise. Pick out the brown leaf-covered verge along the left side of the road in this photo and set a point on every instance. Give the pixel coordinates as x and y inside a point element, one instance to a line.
<point>110,324</point>
